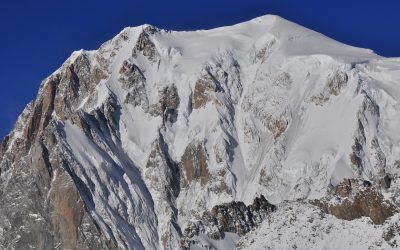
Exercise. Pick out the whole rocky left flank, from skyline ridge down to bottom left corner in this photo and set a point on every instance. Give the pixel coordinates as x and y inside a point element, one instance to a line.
<point>41,202</point>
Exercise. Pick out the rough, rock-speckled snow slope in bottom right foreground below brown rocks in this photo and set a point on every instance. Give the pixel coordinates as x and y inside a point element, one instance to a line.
<point>301,226</point>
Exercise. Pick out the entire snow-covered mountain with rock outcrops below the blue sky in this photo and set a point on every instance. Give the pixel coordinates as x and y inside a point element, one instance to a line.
<point>261,135</point>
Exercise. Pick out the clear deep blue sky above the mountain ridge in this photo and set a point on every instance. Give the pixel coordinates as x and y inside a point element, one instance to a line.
<point>37,36</point>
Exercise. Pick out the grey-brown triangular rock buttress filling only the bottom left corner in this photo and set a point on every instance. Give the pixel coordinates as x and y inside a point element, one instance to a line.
<point>40,203</point>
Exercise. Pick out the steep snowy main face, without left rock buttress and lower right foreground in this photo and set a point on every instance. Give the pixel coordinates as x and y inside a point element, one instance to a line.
<point>156,127</point>
